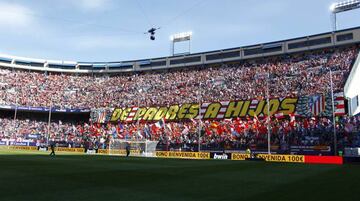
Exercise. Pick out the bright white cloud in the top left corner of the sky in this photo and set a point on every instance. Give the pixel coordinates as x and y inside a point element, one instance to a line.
<point>15,15</point>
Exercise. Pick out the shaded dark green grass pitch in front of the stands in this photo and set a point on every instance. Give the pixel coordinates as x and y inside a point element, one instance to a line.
<point>34,176</point>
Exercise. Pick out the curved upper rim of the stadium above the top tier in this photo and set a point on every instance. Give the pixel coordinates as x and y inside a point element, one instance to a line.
<point>301,44</point>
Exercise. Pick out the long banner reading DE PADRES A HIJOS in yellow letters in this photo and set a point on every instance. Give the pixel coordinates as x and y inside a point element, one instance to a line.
<point>307,106</point>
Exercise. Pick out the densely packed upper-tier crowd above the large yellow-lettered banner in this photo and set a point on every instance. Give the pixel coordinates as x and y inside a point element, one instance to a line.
<point>289,75</point>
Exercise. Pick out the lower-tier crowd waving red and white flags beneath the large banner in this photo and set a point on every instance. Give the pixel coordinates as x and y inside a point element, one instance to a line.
<point>235,134</point>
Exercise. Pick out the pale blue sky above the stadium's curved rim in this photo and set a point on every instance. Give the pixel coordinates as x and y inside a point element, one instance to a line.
<point>112,30</point>
